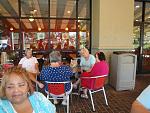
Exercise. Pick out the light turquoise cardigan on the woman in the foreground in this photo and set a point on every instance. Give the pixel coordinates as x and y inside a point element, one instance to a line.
<point>39,102</point>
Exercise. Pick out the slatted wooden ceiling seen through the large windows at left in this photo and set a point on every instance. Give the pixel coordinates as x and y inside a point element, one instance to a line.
<point>62,14</point>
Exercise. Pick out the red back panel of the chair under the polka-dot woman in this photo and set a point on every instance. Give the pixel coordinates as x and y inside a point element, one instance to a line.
<point>56,88</point>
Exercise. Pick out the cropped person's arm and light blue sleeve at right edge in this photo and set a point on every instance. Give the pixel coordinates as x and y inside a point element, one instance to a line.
<point>142,103</point>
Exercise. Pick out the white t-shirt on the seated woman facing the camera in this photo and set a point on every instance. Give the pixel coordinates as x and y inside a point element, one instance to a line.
<point>29,64</point>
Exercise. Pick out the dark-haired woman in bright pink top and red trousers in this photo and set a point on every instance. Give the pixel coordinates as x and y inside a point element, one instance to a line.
<point>99,68</point>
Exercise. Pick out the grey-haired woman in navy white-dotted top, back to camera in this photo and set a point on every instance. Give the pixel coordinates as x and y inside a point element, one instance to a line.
<point>56,72</point>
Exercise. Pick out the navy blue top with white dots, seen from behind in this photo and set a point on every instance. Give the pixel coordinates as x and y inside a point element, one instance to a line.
<point>57,74</point>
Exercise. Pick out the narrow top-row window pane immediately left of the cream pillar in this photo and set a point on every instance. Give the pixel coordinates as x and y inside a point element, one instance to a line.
<point>84,9</point>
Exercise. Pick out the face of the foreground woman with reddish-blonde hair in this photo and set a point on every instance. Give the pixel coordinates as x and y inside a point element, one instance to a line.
<point>16,89</point>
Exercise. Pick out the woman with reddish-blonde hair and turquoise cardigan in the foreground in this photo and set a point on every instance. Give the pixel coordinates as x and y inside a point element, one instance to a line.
<point>17,94</point>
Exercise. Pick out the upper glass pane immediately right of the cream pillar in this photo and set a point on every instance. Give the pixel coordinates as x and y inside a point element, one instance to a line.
<point>138,11</point>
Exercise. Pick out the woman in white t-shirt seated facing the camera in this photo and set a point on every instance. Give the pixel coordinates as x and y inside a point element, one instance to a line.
<point>30,63</point>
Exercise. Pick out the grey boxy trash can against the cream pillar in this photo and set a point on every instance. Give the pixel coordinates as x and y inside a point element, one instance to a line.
<point>123,71</point>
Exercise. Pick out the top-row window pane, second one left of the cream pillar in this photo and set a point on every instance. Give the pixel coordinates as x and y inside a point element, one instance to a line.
<point>63,8</point>
